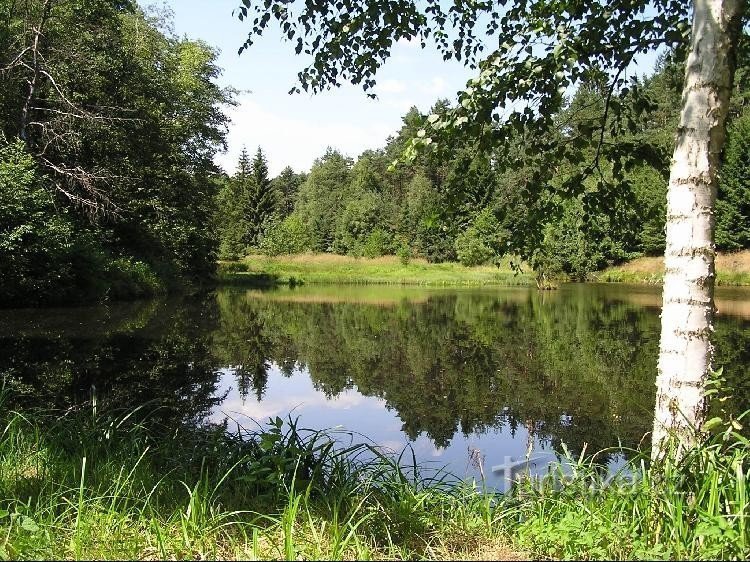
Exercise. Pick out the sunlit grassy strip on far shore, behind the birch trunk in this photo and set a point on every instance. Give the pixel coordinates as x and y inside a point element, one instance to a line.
<point>731,269</point>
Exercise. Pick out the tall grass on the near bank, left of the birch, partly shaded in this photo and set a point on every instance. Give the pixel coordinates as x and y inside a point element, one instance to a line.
<point>107,484</point>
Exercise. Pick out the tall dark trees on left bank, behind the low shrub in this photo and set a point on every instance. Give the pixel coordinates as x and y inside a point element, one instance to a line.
<point>122,123</point>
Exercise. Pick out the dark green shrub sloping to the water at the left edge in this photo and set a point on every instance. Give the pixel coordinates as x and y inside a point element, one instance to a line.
<point>47,255</point>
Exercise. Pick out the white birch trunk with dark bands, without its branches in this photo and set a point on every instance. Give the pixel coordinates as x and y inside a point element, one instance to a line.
<point>685,354</point>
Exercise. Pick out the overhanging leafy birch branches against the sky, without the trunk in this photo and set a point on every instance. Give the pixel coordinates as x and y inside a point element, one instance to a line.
<point>526,55</point>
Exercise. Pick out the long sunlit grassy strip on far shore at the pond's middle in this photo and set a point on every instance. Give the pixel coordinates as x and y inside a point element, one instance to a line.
<point>329,268</point>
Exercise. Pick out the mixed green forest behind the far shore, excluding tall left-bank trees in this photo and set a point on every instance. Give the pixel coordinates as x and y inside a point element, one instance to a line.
<point>457,206</point>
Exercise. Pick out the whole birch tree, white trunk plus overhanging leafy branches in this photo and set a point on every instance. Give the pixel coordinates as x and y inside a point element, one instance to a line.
<point>542,49</point>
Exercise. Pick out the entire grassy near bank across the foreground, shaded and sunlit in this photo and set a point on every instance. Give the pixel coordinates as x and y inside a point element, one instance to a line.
<point>86,484</point>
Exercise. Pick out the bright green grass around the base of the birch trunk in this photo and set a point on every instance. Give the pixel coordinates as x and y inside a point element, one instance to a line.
<point>694,508</point>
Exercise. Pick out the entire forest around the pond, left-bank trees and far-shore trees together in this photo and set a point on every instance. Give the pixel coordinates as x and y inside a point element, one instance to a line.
<point>110,190</point>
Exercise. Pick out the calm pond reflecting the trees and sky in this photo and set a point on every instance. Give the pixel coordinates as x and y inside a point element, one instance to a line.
<point>463,376</point>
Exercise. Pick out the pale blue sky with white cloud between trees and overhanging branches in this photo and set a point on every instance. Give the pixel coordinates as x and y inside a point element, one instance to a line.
<point>295,129</point>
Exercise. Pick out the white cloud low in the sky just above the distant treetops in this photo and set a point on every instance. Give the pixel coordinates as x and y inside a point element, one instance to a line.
<point>297,139</point>
